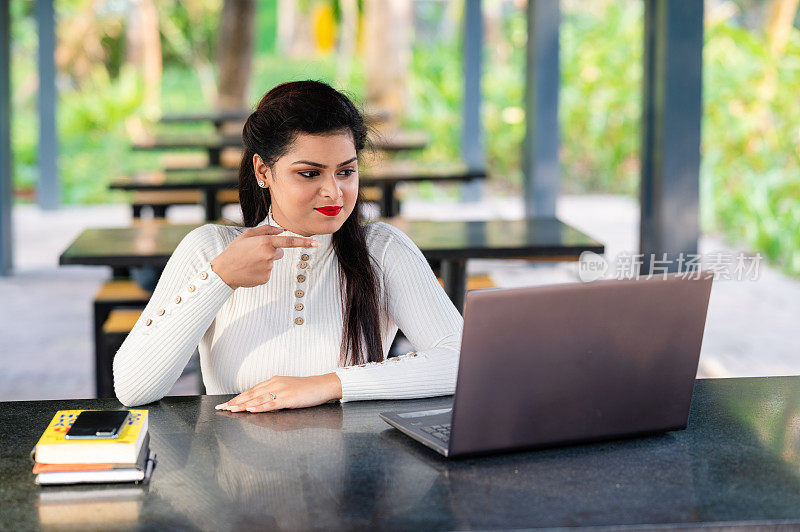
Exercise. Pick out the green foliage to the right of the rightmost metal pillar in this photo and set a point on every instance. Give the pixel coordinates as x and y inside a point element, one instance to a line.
<point>750,174</point>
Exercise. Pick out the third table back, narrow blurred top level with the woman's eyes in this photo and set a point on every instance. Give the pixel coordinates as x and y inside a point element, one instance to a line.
<point>213,144</point>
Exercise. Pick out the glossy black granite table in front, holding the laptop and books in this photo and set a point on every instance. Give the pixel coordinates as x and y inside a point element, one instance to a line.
<point>339,467</point>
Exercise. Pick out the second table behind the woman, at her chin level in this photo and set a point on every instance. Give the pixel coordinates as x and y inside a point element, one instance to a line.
<point>211,180</point>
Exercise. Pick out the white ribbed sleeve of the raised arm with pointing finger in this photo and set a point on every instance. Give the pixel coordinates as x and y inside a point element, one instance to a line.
<point>183,306</point>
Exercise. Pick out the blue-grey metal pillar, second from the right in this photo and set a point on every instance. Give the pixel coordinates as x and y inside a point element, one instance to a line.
<point>540,163</point>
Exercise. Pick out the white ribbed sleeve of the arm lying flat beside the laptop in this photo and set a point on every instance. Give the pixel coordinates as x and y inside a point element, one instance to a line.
<point>421,309</point>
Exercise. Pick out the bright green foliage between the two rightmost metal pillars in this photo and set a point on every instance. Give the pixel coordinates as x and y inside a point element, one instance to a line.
<point>601,92</point>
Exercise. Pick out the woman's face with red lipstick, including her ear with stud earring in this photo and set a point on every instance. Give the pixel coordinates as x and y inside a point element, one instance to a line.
<point>318,171</point>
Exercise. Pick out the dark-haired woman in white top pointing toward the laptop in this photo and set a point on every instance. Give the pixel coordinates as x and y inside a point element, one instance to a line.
<point>301,305</point>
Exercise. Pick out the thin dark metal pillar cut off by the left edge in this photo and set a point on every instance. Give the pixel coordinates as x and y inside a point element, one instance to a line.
<point>6,199</point>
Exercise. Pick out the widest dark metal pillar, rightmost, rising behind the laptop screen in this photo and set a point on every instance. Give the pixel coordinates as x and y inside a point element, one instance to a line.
<point>671,113</point>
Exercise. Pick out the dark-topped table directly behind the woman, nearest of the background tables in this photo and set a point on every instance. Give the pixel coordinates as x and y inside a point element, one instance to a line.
<point>447,244</point>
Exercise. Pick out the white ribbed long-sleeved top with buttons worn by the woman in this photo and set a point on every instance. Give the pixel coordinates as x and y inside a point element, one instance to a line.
<point>247,335</point>
